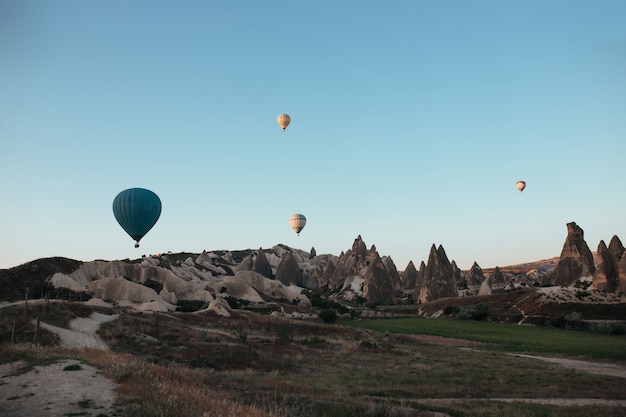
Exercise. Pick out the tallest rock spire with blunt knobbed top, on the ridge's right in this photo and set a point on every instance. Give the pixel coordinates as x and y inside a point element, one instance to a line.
<point>576,259</point>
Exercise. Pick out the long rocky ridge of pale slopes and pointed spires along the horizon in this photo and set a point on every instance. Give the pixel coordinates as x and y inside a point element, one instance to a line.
<point>359,276</point>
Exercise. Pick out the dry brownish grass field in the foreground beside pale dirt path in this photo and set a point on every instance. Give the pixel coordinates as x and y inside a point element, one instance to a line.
<point>180,364</point>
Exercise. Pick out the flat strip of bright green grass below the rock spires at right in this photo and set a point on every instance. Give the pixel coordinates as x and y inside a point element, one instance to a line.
<point>508,337</point>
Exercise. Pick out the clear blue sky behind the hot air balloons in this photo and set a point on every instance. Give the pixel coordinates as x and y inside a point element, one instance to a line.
<point>411,122</point>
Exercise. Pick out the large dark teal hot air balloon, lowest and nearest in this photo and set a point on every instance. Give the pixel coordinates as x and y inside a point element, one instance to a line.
<point>137,211</point>
